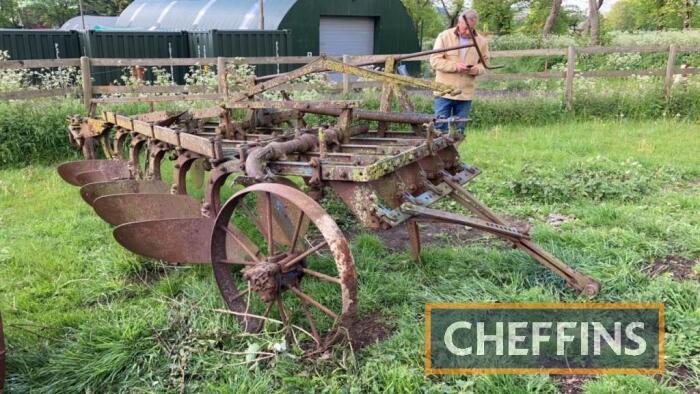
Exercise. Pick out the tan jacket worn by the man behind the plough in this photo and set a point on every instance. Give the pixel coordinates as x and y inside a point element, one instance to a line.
<point>445,64</point>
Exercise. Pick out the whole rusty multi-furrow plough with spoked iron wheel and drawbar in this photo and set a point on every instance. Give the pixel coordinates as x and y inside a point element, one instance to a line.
<point>259,242</point>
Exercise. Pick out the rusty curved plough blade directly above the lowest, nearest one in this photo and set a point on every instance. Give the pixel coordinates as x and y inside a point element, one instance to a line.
<point>117,209</point>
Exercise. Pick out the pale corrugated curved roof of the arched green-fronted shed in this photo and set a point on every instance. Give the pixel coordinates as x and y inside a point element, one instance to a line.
<point>193,15</point>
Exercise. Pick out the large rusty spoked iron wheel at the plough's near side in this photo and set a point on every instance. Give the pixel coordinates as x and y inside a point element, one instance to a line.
<point>289,277</point>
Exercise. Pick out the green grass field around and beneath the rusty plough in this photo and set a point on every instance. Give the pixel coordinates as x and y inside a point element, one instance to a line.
<point>82,314</point>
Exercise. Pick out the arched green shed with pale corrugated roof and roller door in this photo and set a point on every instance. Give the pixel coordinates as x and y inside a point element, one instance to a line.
<point>335,27</point>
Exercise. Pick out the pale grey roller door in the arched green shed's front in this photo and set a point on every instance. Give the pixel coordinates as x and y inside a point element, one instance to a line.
<point>346,36</point>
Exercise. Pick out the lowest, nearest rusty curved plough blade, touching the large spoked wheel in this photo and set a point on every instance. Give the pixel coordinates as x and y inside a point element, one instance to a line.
<point>181,241</point>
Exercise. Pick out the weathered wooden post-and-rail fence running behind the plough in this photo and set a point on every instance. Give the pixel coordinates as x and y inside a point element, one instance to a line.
<point>193,93</point>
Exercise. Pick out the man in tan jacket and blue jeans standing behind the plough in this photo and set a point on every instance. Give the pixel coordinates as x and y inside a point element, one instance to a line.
<point>458,68</point>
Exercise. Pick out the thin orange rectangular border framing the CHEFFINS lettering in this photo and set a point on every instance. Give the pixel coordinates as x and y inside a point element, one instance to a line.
<point>554,371</point>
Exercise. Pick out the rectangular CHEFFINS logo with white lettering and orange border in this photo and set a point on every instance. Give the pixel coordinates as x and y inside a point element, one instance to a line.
<point>544,338</point>
